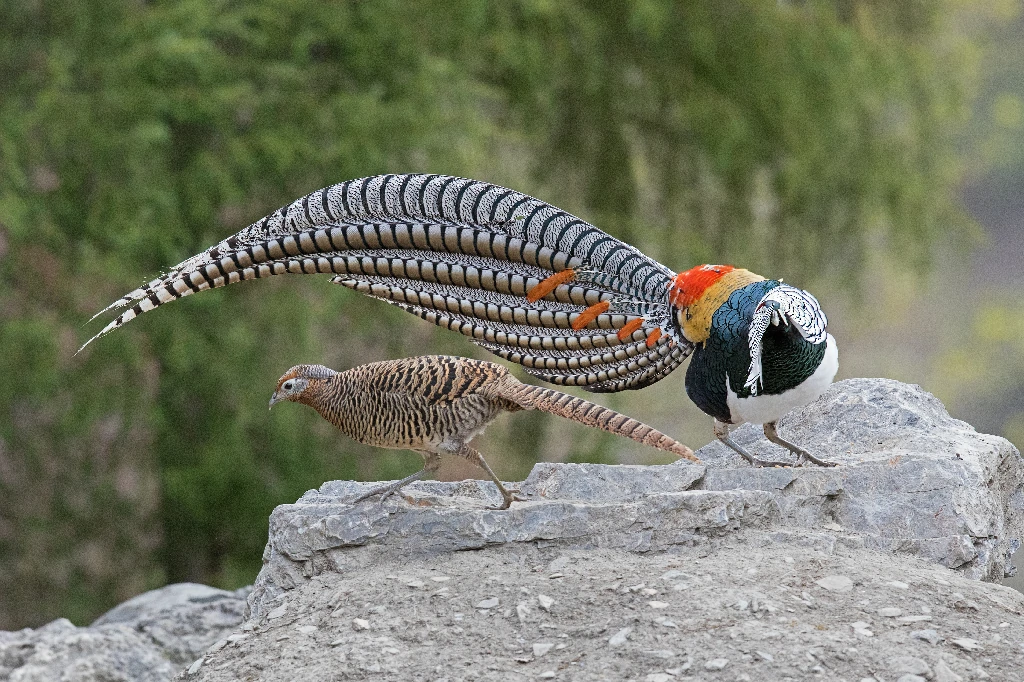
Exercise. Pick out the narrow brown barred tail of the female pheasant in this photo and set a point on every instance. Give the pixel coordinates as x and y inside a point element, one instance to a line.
<point>591,414</point>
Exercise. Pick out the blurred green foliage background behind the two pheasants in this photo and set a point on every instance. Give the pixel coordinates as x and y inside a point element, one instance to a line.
<point>871,151</point>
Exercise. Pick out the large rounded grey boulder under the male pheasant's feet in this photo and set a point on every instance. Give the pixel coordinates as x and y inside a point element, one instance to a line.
<point>907,459</point>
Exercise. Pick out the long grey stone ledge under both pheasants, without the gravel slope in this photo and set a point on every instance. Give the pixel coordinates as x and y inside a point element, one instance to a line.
<point>915,482</point>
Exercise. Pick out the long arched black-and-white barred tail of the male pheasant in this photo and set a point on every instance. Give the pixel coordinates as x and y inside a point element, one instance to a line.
<point>462,254</point>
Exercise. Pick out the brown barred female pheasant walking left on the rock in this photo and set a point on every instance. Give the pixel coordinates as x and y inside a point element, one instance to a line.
<point>437,405</point>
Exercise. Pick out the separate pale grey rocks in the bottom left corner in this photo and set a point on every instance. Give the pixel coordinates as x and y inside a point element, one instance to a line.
<point>149,638</point>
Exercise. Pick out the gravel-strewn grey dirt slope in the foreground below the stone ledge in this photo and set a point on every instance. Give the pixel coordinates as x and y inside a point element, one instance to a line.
<point>618,615</point>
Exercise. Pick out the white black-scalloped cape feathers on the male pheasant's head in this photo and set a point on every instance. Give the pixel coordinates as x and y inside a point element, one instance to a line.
<point>783,305</point>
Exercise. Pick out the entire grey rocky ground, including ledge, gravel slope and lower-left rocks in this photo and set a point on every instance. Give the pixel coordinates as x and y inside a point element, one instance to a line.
<point>878,570</point>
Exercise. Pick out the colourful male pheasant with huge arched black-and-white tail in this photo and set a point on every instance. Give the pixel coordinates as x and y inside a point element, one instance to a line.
<point>537,286</point>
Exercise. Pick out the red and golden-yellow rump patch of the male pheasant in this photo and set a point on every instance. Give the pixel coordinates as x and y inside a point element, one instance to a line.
<point>698,293</point>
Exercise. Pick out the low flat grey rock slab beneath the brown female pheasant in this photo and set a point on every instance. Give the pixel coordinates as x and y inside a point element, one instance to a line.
<point>314,535</point>
